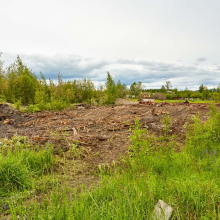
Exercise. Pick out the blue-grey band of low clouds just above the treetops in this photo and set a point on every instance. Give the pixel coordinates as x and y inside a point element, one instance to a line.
<point>152,73</point>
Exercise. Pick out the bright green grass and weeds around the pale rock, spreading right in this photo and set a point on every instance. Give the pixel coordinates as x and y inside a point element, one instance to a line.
<point>154,169</point>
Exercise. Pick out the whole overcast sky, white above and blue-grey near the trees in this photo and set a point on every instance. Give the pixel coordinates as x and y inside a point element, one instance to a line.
<point>143,40</point>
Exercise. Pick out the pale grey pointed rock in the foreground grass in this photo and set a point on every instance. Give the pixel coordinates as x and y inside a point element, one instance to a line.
<point>162,211</point>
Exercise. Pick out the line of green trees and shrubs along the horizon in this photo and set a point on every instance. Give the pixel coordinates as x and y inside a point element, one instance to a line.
<point>20,85</point>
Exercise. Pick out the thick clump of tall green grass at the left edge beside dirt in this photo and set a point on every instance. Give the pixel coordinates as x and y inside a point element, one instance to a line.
<point>19,164</point>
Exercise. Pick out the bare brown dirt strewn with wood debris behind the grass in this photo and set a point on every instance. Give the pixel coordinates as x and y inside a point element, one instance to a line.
<point>102,131</point>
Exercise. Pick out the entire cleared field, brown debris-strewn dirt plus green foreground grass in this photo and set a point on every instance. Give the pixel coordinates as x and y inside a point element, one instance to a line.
<point>108,162</point>
